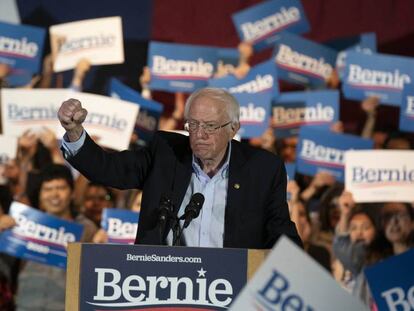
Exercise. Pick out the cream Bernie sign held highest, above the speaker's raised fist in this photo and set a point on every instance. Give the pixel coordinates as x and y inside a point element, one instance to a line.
<point>98,40</point>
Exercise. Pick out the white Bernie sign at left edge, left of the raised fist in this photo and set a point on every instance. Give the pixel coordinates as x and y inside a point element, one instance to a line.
<point>31,109</point>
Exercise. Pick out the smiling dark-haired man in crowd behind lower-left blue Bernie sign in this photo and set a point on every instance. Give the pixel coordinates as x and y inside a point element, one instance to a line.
<point>42,287</point>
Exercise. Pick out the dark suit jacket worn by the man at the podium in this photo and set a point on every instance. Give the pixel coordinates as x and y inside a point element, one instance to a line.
<point>256,212</point>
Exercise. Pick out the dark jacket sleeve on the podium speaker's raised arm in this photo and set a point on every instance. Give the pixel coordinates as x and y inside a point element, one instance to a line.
<point>123,170</point>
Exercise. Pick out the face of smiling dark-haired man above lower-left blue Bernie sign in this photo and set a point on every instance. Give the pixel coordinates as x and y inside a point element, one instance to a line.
<point>54,197</point>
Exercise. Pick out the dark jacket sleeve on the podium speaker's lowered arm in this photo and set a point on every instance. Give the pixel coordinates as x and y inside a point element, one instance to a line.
<point>277,211</point>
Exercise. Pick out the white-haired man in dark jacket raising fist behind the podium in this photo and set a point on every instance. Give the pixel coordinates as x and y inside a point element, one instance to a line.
<point>244,187</point>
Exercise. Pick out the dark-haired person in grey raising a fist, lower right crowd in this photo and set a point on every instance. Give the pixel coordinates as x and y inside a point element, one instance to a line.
<point>358,242</point>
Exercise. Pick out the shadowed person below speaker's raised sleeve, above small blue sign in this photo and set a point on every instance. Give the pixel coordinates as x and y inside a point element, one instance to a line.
<point>97,197</point>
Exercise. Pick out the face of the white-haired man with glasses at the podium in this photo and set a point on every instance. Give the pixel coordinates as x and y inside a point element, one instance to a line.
<point>209,147</point>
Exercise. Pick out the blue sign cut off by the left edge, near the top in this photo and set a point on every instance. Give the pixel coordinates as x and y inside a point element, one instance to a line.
<point>21,46</point>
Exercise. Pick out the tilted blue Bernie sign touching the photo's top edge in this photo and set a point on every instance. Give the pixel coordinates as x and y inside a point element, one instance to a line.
<point>258,24</point>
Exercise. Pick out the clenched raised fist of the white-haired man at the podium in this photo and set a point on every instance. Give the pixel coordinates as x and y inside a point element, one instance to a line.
<point>71,115</point>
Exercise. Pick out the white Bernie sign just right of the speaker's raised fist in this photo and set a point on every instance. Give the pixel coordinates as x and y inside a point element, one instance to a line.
<point>110,121</point>
